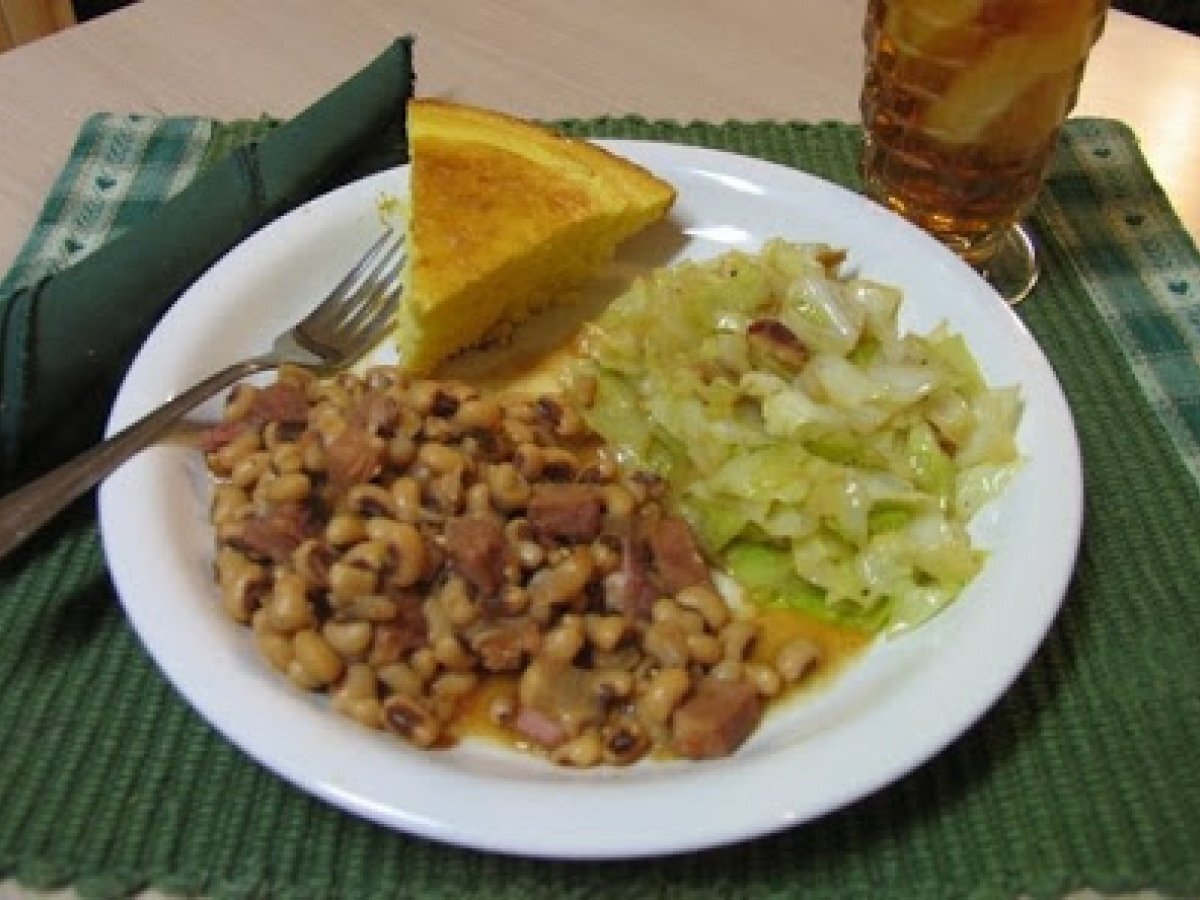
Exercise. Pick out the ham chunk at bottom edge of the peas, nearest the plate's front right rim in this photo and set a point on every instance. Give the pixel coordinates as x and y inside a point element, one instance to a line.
<point>716,721</point>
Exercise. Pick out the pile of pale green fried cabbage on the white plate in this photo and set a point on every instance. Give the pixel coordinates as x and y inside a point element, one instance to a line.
<point>825,460</point>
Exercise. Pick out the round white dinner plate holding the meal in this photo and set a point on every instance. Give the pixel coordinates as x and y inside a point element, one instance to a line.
<point>899,705</point>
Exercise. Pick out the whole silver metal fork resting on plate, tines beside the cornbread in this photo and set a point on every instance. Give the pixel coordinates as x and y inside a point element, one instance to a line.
<point>347,325</point>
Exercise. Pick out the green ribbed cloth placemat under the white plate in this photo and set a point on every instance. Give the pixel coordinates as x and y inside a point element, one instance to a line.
<point>1083,776</point>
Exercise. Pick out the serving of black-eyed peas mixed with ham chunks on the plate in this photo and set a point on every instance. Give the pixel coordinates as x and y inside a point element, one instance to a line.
<point>547,615</point>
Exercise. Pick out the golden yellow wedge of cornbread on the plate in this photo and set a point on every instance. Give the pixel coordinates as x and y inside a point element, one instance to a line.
<point>506,218</point>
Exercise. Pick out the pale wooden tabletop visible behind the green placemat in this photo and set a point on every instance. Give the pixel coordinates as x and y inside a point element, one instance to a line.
<point>686,59</point>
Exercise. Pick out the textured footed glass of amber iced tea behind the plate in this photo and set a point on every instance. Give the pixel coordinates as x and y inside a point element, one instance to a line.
<point>962,107</point>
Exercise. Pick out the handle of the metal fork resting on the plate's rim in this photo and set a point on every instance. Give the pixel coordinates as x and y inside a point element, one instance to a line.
<point>26,511</point>
